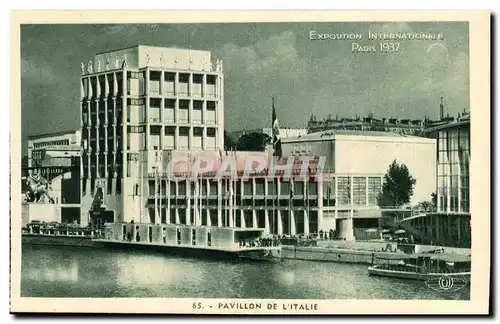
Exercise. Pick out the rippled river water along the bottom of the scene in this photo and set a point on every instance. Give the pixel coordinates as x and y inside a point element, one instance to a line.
<point>85,272</point>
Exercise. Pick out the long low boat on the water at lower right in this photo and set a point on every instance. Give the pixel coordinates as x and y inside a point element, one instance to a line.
<point>422,266</point>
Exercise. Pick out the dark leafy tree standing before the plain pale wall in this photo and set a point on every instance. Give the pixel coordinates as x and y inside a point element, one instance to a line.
<point>398,186</point>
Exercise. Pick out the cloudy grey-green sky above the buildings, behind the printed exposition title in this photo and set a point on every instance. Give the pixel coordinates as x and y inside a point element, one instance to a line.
<point>262,60</point>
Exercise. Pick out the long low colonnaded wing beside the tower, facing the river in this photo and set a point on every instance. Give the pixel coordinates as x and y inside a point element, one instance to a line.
<point>279,203</point>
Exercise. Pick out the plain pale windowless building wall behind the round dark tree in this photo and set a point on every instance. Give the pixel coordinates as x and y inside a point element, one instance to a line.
<point>371,153</point>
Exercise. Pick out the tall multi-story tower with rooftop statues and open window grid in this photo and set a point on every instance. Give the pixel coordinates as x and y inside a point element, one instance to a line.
<point>137,104</point>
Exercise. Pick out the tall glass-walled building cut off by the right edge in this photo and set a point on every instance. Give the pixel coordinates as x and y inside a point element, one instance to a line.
<point>450,223</point>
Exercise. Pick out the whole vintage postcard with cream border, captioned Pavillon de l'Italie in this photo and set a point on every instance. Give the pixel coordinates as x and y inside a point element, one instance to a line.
<point>250,162</point>
